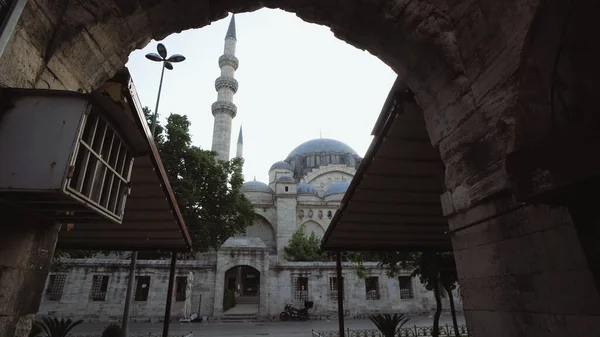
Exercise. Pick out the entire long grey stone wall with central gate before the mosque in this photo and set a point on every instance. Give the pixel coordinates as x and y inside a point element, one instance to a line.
<point>208,287</point>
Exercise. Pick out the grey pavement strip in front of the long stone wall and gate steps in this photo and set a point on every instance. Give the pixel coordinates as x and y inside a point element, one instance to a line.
<point>271,329</point>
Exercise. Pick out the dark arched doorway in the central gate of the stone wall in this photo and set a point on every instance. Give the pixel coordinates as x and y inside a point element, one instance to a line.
<point>242,290</point>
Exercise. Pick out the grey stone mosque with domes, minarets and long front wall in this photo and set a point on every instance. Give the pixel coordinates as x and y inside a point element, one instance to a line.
<point>303,192</point>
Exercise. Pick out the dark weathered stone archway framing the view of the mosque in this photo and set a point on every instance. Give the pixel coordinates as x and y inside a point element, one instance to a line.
<point>475,70</point>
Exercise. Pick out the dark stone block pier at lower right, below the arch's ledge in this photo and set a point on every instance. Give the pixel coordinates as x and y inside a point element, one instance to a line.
<point>523,271</point>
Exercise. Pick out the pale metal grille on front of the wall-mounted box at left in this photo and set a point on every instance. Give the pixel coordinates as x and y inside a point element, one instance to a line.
<point>102,168</point>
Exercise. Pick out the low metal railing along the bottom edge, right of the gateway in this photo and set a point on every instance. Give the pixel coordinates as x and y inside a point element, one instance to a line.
<point>415,331</point>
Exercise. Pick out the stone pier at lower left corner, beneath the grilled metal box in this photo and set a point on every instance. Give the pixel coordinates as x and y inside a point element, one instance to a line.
<point>26,249</point>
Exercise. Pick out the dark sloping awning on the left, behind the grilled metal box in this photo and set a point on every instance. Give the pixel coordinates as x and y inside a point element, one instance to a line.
<point>152,220</point>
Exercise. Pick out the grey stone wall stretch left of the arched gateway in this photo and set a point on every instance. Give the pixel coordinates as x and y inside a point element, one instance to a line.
<point>76,298</point>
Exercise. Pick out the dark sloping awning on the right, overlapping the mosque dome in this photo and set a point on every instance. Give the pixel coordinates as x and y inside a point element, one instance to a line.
<point>393,202</point>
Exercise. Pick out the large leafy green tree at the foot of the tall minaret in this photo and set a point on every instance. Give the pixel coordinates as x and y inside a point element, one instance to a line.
<point>208,190</point>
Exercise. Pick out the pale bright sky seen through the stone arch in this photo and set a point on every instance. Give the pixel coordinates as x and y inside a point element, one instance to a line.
<point>297,82</point>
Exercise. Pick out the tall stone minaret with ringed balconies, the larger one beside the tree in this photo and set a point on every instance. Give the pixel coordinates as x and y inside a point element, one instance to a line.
<point>223,109</point>
